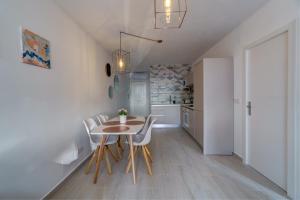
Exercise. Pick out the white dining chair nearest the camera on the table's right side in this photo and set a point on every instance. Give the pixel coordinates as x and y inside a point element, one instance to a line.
<point>140,141</point>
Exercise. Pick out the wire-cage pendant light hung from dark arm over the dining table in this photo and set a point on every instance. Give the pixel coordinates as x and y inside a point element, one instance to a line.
<point>121,58</point>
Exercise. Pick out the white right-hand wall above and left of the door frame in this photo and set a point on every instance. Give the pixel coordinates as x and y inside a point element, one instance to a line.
<point>274,15</point>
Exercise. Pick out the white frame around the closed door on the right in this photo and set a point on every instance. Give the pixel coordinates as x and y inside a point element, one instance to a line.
<point>292,80</point>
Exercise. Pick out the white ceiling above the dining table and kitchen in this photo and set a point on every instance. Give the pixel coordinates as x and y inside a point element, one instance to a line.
<point>206,22</point>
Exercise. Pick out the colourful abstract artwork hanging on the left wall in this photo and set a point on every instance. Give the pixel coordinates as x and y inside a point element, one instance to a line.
<point>35,49</point>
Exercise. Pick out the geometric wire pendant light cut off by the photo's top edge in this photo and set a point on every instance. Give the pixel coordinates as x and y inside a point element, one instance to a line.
<point>169,13</point>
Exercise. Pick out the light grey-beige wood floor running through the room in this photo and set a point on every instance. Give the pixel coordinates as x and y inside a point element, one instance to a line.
<point>180,171</point>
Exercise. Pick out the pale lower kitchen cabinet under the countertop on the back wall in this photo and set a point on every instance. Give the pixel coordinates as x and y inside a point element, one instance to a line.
<point>166,115</point>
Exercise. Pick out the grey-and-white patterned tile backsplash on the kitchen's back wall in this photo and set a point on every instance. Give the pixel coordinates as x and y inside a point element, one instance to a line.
<point>166,80</point>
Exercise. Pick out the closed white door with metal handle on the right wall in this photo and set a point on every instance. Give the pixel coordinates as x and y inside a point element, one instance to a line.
<point>267,67</point>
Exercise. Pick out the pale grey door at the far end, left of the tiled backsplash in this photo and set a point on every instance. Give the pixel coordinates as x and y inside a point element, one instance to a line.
<point>138,98</point>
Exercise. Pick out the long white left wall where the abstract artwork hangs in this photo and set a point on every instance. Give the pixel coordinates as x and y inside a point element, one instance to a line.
<point>41,110</point>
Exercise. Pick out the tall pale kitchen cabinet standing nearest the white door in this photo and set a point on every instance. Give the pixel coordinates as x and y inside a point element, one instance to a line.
<point>213,102</point>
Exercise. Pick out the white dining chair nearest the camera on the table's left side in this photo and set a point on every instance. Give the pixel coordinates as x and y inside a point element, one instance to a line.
<point>91,124</point>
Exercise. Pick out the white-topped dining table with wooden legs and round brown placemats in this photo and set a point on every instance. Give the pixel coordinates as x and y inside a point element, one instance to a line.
<point>133,125</point>
